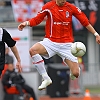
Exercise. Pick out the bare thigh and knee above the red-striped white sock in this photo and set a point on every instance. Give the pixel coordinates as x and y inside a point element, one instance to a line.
<point>38,49</point>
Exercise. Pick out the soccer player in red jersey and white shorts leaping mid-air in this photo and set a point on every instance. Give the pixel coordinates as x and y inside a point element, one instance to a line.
<point>58,38</point>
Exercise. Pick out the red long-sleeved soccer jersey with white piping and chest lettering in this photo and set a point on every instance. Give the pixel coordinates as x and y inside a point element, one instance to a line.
<point>59,21</point>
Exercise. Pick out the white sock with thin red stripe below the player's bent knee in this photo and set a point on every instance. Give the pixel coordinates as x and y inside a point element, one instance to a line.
<point>39,64</point>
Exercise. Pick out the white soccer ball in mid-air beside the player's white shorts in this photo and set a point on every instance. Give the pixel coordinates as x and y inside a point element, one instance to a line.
<point>78,49</point>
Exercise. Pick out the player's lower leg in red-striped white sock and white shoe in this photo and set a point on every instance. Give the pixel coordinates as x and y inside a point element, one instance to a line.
<point>39,65</point>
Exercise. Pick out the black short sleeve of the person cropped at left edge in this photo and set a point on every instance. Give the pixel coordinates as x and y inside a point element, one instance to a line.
<point>8,39</point>
